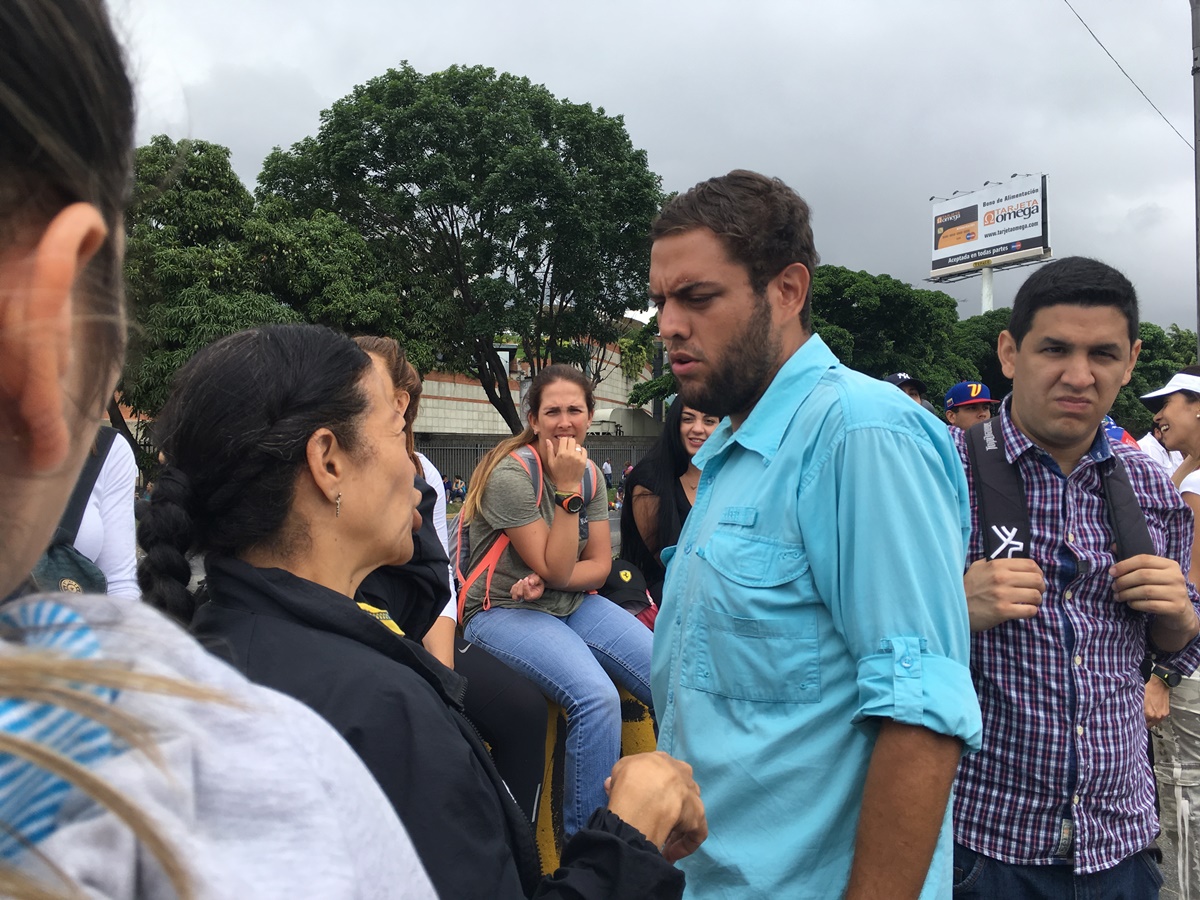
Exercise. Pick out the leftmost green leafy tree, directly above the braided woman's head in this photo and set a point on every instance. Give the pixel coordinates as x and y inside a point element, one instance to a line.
<point>205,260</point>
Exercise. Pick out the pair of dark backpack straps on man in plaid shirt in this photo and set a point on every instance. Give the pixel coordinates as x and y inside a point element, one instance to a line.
<point>1005,518</point>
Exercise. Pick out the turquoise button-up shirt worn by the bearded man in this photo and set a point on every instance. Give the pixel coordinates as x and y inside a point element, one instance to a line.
<point>817,589</point>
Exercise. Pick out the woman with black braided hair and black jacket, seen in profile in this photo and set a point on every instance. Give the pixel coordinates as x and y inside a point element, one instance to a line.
<point>287,466</point>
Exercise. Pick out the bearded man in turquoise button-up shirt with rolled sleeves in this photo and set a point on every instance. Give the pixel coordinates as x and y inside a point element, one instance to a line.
<point>811,657</point>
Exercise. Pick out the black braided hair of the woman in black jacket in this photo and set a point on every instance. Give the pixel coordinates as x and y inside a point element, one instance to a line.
<point>238,425</point>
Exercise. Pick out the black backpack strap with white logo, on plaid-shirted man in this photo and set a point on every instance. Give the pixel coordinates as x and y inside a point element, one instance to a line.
<point>1000,495</point>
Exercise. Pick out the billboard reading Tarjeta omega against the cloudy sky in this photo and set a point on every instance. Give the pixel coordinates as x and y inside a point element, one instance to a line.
<point>999,225</point>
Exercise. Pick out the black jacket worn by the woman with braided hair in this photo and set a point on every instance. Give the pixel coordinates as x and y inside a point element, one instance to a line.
<point>401,711</point>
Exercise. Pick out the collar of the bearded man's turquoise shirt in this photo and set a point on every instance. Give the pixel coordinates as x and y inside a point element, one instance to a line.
<point>764,430</point>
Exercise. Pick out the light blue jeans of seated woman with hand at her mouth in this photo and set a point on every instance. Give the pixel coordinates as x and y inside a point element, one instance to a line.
<point>575,662</point>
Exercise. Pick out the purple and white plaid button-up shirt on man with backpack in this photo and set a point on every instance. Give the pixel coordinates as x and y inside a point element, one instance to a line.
<point>1064,777</point>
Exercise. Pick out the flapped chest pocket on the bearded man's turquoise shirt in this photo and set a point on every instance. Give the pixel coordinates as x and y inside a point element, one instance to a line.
<point>770,655</point>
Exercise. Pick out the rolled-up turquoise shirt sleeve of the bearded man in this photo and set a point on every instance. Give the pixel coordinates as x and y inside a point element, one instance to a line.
<point>892,573</point>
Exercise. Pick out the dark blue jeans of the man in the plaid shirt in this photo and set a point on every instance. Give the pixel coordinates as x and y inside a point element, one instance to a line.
<point>980,878</point>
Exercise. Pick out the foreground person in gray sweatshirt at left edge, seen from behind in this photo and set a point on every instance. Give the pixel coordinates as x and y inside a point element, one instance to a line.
<point>133,764</point>
